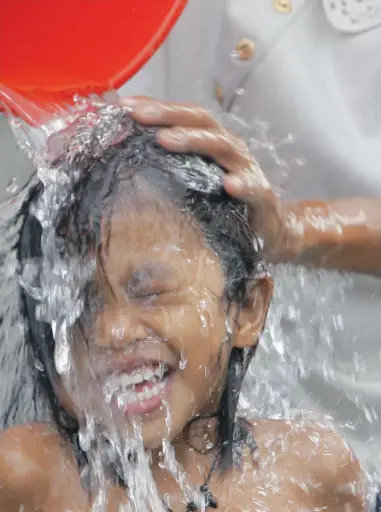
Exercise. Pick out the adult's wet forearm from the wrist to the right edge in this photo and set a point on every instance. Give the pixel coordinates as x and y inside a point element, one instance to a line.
<point>342,234</point>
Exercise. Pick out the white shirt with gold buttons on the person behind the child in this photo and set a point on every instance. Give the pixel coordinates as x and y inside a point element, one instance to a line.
<point>308,101</point>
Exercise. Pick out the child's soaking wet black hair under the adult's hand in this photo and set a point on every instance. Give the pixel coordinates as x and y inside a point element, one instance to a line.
<point>196,185</point>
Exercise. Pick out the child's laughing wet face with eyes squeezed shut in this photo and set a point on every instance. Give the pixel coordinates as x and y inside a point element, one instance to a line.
<point>158,340</point>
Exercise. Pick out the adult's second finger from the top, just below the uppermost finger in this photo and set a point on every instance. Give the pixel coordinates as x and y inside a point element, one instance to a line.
<point>220,145</point>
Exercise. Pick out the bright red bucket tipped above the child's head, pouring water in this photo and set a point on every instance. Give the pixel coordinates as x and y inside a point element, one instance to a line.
<point>24,78</point>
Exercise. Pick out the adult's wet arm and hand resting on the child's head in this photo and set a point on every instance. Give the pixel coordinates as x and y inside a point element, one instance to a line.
<point>343,234</point>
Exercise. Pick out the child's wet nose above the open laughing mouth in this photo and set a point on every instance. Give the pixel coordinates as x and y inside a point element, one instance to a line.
<point>118,326</point>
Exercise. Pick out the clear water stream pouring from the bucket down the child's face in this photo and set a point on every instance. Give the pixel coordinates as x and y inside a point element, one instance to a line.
<point>58,285</point>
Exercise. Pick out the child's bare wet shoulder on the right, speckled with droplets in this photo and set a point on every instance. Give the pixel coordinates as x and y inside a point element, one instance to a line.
<point>314,455</point>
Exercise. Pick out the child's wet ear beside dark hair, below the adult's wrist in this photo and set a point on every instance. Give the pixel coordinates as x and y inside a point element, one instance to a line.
<point>252,317</point>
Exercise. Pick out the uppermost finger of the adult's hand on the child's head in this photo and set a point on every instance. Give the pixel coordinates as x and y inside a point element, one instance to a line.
<point>160,113</point>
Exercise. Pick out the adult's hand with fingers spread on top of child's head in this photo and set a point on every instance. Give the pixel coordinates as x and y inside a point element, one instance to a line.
<point>191,129</point>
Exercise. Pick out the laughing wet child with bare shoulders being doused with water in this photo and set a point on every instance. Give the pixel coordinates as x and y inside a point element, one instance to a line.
<point>171,318</point>
